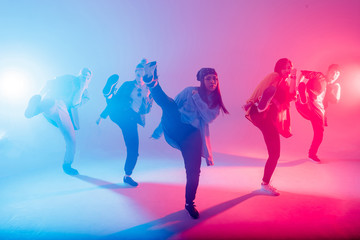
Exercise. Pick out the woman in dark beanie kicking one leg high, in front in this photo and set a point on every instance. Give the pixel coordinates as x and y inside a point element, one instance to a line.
<point>185,123</point>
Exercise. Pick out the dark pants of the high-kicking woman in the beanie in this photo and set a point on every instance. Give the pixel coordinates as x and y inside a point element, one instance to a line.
<point>187,137</point>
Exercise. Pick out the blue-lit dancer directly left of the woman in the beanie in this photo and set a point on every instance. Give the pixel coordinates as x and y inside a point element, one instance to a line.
<point>127,107</point>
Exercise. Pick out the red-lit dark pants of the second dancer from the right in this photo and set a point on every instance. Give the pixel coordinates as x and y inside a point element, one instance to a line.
<point>265,122</point>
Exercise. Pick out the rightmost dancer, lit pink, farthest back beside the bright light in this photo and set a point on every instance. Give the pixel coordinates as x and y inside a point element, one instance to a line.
<point>314,96</point>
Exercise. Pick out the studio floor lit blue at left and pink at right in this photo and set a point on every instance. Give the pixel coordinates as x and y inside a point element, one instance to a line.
<point>317,201</point>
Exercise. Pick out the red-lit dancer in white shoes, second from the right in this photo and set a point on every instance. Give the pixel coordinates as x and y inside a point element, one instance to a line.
<point>268,109</point>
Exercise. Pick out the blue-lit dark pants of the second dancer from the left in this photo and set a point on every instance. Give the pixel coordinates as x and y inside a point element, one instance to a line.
<point>128,126</point>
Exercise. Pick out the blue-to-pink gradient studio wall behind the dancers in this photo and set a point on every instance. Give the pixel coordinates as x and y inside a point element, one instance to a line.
<point>242,40</point>
